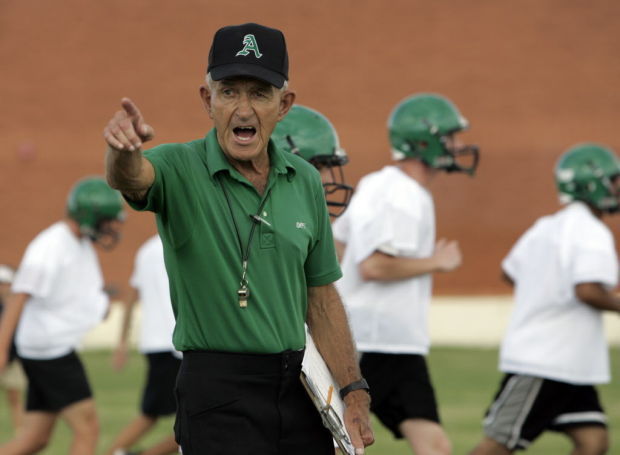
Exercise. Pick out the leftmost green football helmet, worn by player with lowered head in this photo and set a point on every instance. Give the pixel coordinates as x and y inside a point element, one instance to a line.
<point>91,203</point>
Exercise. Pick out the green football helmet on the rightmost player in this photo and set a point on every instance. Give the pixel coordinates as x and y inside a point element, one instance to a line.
<point>586,172</point>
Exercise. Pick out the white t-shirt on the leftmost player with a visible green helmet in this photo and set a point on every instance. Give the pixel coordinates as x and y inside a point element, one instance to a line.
<point>62,275</point>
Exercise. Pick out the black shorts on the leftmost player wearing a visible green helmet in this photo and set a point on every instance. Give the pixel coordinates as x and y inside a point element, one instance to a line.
<point>54,384</point>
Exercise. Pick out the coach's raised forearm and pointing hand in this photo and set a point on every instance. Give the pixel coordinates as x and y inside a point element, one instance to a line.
<point>126,168</point>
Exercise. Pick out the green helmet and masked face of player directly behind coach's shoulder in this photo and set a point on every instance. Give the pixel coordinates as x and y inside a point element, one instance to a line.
<point>309,134</point>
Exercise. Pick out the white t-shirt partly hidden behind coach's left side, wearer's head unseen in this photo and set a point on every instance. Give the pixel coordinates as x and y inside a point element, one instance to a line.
<point>151,280</point>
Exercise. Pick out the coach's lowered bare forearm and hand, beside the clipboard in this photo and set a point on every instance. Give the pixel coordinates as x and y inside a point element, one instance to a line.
<point>328,324</point>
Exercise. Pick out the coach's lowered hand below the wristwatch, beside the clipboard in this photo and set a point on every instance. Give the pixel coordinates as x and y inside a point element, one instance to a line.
<point>357,420</point>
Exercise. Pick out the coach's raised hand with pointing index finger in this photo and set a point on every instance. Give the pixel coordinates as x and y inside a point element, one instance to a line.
<point>127,129</point>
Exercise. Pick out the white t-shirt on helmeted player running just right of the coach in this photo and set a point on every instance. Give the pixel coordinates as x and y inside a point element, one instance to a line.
<point>392,213</point>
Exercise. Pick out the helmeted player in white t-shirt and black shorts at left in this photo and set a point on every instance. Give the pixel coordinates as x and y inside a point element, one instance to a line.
<point>57,296</point>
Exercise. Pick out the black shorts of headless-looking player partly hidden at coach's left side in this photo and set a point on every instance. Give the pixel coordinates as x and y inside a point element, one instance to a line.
<point>158,395</point>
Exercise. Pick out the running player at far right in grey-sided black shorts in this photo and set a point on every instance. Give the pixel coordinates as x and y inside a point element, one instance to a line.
<point>563,269</point>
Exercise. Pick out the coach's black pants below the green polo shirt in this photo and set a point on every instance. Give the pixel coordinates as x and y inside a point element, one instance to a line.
<point>238,404</point>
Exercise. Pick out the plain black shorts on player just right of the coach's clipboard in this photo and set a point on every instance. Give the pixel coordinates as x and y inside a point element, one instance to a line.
<point>401,389</point>
